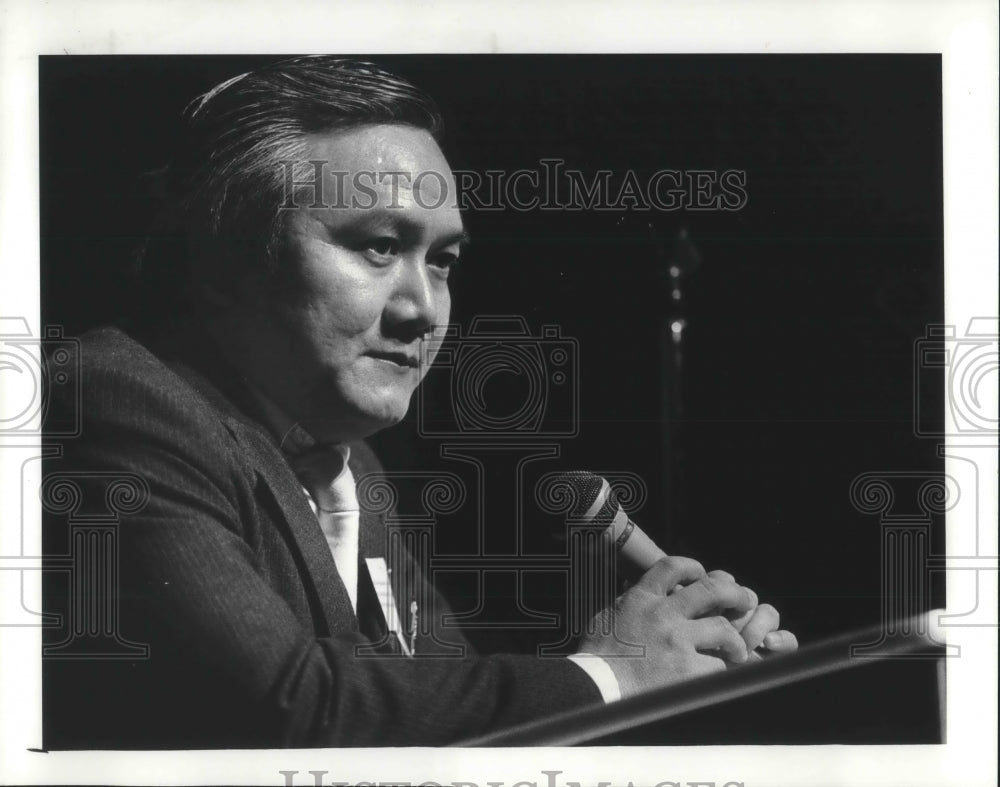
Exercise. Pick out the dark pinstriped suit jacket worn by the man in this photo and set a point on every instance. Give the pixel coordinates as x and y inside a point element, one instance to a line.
<point>225,574</point>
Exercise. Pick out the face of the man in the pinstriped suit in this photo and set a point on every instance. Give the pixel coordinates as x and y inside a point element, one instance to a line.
<point>336,343</point>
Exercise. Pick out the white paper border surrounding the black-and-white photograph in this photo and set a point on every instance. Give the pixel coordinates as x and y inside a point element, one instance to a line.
<point>965,33</point>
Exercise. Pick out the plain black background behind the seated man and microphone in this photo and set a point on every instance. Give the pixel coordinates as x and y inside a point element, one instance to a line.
<point>802,316</point>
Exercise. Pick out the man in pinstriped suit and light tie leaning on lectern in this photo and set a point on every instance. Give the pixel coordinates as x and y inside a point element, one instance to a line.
<point>289,286</point>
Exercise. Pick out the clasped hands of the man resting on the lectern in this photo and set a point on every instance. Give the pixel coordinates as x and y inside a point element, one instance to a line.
<point>689,622</point>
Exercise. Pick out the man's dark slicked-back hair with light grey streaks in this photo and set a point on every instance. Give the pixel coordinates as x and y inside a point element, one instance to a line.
<point>221,194</point>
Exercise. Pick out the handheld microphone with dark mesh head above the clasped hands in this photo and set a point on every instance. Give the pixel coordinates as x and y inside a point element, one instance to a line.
<point>598,505</point>
